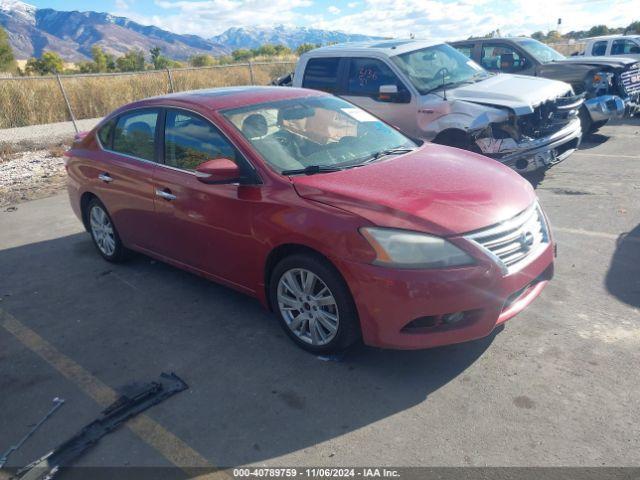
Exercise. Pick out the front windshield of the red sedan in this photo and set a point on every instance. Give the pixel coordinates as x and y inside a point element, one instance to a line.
<point>323,131</point>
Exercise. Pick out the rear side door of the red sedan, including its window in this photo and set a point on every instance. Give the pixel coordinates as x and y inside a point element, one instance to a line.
<point>123,175</point>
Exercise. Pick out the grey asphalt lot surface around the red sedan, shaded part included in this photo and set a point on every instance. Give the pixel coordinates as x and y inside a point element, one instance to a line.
<point>558,386</point>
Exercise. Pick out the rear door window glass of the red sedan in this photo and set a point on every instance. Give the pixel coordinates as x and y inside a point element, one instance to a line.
<point>135,134</point>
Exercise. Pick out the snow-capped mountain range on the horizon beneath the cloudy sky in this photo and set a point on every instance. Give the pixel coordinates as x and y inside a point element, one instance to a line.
<point>34,30</point>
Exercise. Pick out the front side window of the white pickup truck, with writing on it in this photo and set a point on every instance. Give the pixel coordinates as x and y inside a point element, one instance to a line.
<point>367,74</point>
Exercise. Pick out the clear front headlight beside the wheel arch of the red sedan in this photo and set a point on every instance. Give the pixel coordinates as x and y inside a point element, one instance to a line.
<point>406,249</point>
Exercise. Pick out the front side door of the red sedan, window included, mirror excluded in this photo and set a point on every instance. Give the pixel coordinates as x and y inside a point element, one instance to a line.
<point>207,227</point>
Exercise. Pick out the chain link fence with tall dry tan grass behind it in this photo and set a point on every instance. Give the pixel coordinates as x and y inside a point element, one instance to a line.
<point>28,101</point>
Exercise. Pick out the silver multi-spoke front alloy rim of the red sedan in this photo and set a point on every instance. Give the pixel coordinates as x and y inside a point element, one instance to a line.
<point>308,307</point>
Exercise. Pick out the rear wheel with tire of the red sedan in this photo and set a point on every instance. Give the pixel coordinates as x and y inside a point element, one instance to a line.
<point>103,232</point>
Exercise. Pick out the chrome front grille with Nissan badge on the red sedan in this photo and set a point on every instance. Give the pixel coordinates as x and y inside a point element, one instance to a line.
<point>514,240</point>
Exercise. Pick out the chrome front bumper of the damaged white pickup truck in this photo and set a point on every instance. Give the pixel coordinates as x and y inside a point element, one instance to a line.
<point>543,152</point>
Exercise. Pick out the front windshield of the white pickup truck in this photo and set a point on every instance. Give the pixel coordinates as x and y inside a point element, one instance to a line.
<point>441,65</point>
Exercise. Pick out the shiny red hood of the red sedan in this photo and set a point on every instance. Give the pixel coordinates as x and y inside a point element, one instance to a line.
<point>435,189</point>
